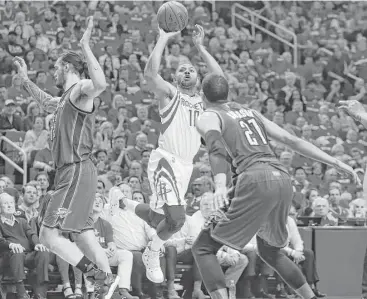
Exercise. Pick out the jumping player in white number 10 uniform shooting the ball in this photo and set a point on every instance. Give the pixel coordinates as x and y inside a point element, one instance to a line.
<point>170,165</point>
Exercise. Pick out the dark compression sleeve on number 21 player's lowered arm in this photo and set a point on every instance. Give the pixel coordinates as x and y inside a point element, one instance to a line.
<point>217,152</point>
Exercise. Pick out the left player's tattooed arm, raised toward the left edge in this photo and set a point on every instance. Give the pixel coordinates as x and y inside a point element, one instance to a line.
<point>48,102</point>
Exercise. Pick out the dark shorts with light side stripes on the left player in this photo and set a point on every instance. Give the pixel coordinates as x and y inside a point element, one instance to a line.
<point>69,208</point>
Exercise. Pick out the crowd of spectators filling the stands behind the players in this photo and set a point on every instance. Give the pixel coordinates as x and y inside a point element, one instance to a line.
<point>300,95</point>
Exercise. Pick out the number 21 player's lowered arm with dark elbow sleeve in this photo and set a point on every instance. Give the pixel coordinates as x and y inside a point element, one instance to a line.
<point>209,126</point>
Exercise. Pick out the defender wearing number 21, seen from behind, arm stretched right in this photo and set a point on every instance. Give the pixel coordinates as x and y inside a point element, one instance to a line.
<point>262,190</point>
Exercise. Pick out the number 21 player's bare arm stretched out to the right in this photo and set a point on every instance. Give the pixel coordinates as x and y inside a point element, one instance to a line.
<point>306,148</point>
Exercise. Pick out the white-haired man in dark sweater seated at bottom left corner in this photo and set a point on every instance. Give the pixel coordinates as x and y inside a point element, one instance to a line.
<point>22,248</point>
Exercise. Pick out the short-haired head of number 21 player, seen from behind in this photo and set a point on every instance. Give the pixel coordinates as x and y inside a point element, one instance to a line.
<point>215,88</point>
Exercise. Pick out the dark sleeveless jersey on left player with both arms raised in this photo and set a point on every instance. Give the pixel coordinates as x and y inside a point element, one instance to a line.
<point>71,132</point>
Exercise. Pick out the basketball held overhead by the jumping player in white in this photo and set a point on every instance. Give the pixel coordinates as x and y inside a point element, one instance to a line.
<point>172,16</point>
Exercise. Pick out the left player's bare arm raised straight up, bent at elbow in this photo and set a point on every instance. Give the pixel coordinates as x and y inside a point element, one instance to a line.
<point>97,83</point>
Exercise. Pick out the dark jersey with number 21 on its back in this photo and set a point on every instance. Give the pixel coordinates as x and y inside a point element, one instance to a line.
<point>244,136</point>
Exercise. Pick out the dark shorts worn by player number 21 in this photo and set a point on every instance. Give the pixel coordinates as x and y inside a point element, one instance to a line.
<point>261,202</point>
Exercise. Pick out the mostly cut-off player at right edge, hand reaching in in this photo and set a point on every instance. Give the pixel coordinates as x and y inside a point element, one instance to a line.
<point>356,110</point>
